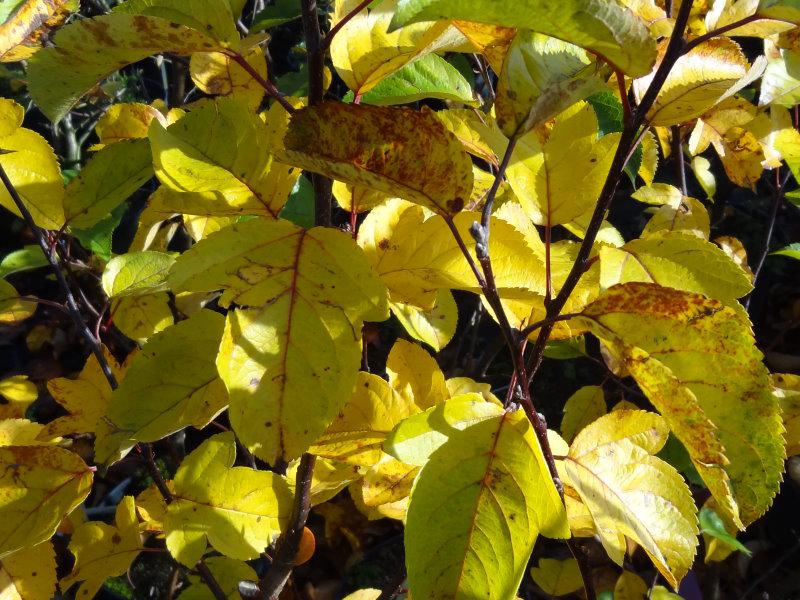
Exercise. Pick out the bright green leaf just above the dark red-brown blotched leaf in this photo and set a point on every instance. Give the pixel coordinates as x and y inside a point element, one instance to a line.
<point>428,77</point>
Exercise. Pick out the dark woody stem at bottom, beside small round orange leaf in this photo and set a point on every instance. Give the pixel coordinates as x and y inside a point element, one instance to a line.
<point>289,544</point>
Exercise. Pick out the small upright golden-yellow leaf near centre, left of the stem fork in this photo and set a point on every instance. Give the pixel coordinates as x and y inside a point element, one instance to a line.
<point>415,376</point>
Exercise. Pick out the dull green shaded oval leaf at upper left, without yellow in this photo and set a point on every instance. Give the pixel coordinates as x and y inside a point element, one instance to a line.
<point>107,180</point>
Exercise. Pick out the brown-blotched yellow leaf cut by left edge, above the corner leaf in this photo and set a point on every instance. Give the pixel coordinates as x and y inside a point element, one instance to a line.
<point>41,485</point>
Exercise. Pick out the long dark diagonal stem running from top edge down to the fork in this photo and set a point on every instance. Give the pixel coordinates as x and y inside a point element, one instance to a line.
<point>628,139</point>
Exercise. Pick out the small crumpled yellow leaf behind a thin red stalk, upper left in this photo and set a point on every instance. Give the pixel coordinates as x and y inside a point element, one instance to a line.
<point>217,74</point>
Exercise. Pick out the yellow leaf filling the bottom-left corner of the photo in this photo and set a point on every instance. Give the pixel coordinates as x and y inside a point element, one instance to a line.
<point>29,574</point>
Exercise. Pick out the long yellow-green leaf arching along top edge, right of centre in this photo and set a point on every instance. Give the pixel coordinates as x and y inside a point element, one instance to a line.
<point>604,27</point>
